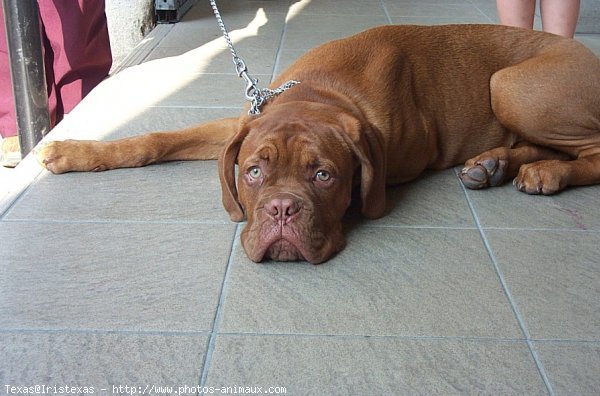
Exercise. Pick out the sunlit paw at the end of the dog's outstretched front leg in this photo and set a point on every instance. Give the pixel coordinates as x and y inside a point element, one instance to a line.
<point>65,156</point>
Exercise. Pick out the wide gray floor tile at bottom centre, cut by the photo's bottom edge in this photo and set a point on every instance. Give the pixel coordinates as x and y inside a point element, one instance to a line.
<point>375,366</point>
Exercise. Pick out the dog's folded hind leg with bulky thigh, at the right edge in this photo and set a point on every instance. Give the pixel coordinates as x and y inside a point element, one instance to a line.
<point>553,100</point>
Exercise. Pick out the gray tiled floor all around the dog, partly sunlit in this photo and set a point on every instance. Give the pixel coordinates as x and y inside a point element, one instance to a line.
<point>136,278</point>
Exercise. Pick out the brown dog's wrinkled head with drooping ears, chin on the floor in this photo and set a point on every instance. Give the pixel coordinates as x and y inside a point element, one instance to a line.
<point>296,167</point>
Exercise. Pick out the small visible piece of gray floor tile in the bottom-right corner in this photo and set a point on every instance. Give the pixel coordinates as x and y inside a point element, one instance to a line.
<point>572,368</point>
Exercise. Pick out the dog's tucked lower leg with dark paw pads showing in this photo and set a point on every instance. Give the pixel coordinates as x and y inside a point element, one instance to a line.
<point>494,167</point>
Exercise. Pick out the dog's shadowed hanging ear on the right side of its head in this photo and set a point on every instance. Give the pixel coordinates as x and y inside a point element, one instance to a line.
<point>367,145</point>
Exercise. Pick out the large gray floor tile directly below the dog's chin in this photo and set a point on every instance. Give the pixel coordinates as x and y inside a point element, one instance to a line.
<point>417,282</point>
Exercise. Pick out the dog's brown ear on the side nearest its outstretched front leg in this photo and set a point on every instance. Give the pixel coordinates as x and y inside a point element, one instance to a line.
<point>227,162</point>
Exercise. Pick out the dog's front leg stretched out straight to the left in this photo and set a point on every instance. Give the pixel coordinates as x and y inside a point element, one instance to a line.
<point>201,142</point>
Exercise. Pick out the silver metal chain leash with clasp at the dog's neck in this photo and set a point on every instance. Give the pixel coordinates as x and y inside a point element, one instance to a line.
<point>255,95</point>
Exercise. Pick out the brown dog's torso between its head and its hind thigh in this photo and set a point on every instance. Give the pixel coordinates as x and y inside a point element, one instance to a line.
<point>433,81</point>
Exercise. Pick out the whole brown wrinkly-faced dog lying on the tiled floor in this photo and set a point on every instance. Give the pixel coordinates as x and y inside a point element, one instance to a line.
<point>379,108</point>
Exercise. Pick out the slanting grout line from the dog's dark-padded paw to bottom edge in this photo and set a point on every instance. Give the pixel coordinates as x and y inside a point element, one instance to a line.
<point>507,292</point>
